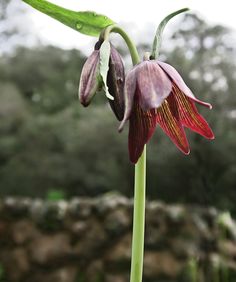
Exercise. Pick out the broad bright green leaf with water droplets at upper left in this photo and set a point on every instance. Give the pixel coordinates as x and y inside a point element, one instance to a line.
<point>87,22</point>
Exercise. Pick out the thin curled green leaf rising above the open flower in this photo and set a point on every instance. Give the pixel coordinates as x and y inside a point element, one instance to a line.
<point>158,37</point>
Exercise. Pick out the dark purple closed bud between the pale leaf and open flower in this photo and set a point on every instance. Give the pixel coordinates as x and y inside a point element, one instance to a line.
<point>115,83</point>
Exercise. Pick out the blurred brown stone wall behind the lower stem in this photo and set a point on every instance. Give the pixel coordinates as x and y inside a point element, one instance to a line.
<point>89,240</point>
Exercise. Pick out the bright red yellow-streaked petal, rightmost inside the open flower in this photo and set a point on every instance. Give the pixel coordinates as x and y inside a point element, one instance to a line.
<point>189,115</point>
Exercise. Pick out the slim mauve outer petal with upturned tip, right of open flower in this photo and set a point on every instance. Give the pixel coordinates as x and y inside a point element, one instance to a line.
<point>177,79</point>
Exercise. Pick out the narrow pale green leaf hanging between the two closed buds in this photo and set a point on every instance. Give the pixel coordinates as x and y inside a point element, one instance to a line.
<point>105,52</point>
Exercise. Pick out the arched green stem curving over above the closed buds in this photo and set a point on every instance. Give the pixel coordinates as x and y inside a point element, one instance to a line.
<point>132,48</point>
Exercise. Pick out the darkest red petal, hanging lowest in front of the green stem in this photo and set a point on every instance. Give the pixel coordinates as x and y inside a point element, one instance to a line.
<point>141,127</point>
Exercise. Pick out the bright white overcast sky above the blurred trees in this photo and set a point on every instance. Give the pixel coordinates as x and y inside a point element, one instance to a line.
<point>140,18</point>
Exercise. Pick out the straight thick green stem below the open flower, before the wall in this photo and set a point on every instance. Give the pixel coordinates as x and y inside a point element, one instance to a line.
<point>138,219</point>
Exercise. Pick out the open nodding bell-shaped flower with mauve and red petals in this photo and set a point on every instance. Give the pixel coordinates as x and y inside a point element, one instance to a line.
<point>155,94</point>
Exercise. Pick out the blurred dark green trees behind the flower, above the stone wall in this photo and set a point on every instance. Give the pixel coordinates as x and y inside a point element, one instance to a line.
<point>52,148</point>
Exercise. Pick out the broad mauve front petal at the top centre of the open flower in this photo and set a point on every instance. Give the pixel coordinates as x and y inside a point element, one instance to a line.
<point>154,85</point>
